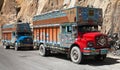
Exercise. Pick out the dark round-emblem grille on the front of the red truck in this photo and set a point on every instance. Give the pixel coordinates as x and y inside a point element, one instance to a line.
<point>101,41</point>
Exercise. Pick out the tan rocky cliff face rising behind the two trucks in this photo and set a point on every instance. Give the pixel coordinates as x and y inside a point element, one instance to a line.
<point>24,10</point>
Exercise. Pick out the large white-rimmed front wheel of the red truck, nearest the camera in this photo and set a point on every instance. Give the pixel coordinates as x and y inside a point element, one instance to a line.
<point>76,55</point>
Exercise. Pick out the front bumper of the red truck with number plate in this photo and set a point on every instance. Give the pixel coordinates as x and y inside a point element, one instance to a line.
<point>93,51</point>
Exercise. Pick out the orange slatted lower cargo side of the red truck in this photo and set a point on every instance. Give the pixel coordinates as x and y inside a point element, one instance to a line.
<point>47,34</point>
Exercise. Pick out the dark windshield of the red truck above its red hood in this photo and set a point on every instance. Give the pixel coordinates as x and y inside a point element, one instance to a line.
<point>88,28</point>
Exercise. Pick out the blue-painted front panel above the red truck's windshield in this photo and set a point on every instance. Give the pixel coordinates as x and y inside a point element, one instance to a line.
<point>89,15</point>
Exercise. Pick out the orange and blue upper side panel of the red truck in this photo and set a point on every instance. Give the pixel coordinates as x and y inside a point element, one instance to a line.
<point>61,16</point>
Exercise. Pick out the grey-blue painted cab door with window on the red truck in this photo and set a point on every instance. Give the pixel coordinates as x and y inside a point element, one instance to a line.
<point>67,36</point>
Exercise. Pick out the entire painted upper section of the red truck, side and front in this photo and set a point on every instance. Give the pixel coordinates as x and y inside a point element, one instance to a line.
<point>75,14</point>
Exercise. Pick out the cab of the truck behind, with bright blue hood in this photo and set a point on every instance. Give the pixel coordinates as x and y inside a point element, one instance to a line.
<point>22,40</point>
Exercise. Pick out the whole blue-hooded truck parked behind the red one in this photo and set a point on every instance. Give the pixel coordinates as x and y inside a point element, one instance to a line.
<point>17,35</point>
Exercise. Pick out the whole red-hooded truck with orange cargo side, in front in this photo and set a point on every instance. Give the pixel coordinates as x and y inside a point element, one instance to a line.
<point>73,31</point>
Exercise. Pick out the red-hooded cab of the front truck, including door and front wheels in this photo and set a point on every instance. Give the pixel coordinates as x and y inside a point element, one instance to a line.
<point>85,38</point>
